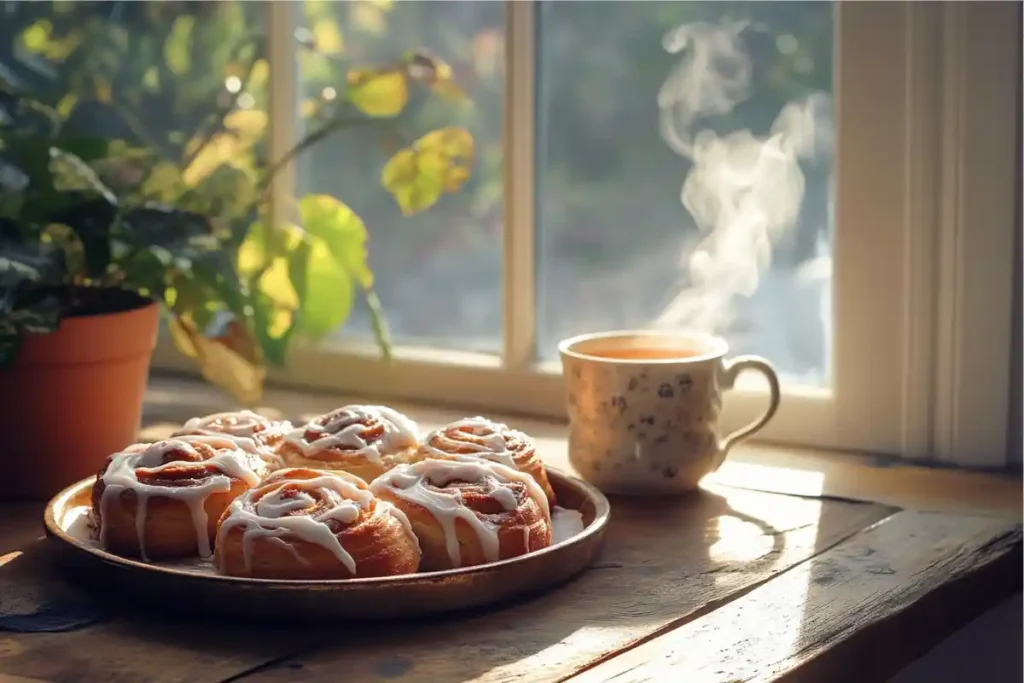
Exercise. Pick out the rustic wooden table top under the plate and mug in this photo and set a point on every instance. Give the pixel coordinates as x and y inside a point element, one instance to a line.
<point>724,585</point>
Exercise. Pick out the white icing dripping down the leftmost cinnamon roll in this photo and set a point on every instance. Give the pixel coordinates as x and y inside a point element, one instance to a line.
<point>122,475</point>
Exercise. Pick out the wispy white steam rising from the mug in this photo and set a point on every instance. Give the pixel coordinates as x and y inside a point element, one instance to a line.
<point>744,192</point>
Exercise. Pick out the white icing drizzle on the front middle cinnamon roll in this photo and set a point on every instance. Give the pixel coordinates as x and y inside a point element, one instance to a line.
<point>271,517</point>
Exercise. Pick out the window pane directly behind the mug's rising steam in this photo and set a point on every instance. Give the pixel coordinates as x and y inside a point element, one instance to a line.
<point>685,175</point>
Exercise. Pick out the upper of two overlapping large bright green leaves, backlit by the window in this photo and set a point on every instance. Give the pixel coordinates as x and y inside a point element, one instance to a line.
<point>343,232</point>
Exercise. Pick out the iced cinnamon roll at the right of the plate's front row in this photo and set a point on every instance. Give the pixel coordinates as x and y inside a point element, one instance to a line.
<point>468,513</point>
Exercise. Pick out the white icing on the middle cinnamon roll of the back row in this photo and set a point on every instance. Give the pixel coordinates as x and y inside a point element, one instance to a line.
<point>345,432</point>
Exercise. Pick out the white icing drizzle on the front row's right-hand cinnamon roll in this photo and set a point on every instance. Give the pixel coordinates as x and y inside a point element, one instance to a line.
<point>408,483</point>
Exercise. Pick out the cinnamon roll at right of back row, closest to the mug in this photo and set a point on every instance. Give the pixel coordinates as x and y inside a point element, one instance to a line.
<point>480,438</point>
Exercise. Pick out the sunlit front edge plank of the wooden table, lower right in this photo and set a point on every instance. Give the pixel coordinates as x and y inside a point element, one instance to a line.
<point>859,613</point>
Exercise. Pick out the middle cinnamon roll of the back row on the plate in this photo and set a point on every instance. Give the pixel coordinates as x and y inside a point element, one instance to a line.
<point>365,441</point>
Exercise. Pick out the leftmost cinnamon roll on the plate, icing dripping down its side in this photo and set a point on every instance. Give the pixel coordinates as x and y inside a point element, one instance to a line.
<point>163,500</point>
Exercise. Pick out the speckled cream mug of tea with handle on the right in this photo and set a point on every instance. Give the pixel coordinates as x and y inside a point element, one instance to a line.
<point>650,425</point>
